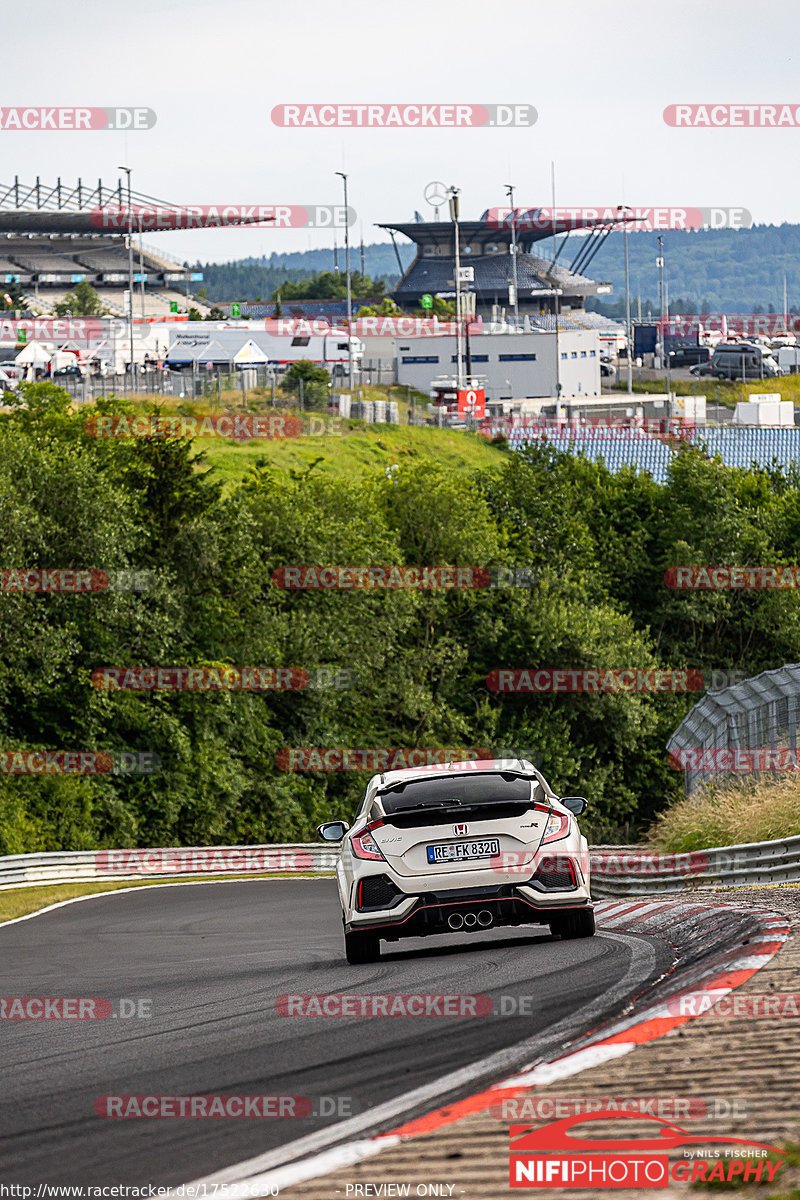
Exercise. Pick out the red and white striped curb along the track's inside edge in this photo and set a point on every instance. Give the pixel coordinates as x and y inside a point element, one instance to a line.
<point>715,975</point>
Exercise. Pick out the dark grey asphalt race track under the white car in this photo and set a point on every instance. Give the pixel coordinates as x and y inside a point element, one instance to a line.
<point>213,961</point>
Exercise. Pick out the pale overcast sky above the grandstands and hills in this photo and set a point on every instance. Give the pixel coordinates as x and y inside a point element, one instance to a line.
<point>599,77</point>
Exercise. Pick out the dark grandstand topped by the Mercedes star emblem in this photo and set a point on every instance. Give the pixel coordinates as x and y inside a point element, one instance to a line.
<point>544,285</point>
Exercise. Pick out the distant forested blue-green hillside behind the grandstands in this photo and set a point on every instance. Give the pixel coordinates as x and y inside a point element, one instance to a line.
<point>715,271</point>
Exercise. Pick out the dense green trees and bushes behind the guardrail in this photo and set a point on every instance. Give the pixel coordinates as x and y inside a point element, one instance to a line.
<point>599,543</point>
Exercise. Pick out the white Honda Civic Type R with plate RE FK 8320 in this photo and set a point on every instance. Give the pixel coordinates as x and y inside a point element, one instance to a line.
<point>462,848</point>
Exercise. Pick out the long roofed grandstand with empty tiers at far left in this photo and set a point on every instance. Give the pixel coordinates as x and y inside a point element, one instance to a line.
<point>50,241</point>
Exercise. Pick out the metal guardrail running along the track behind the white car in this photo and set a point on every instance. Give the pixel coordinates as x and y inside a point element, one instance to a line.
<point>616,871</point>
